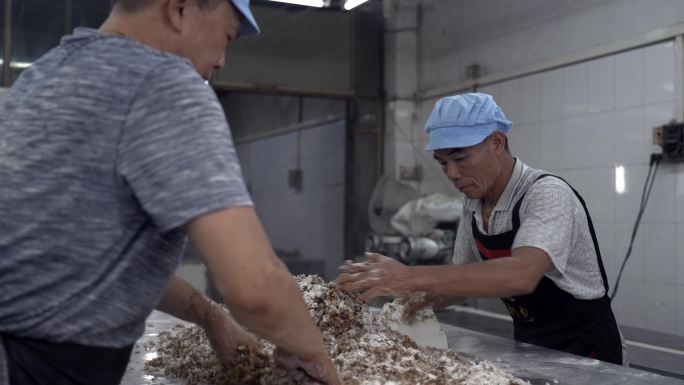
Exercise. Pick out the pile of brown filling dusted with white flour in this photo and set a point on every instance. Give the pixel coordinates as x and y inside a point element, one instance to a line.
<point>364,348</point>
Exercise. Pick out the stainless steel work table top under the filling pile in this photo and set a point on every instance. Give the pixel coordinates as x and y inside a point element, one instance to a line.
<point>535,364</point>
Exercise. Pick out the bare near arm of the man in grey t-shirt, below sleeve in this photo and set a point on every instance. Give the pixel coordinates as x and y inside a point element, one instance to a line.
<point>257,287</point>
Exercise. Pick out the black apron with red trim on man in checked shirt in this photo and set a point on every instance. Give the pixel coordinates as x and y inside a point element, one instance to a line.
<point>551,317</point>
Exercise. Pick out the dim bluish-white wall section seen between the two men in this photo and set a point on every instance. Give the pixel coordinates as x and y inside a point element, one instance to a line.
<point>310,221</point>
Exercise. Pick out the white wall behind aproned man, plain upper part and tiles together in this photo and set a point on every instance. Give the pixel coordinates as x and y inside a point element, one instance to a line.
<point>579,121</point>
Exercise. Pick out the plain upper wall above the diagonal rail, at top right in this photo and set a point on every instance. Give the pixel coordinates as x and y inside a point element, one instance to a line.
<point>506,35</point>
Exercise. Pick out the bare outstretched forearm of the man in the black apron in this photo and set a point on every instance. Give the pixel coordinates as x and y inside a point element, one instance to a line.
<point>502,277</point>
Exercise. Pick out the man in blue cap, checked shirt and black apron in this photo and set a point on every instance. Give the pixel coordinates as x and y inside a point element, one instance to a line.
<point>525,236</point>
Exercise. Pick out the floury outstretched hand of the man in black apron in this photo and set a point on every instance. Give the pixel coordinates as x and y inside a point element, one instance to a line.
<point>378,276</point>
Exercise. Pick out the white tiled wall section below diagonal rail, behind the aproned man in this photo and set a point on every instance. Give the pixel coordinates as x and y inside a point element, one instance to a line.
<point>583,120</point>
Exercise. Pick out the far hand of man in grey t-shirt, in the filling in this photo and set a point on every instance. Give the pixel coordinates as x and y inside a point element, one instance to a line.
<point>226,336</point>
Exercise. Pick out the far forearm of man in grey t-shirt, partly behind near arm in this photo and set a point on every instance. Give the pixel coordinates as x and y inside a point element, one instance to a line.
<point>183,301</point>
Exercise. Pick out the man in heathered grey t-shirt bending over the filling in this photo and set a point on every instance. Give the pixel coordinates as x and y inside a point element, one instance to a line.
<point>112,148</point>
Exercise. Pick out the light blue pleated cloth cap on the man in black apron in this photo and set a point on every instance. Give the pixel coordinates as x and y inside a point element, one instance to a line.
<point>464,120</point>
